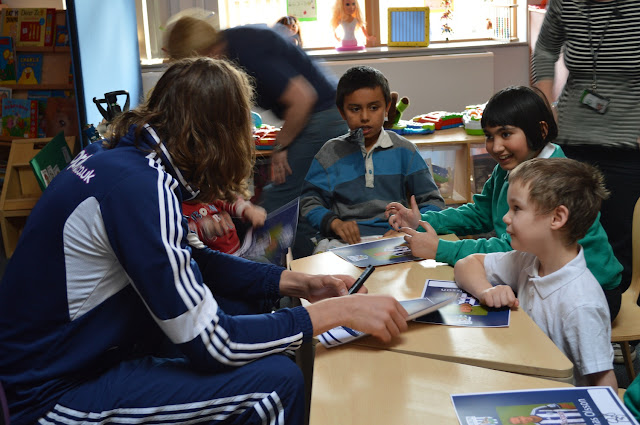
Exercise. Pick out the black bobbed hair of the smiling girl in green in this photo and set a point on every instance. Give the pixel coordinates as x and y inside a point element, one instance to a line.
<point>525,108</point>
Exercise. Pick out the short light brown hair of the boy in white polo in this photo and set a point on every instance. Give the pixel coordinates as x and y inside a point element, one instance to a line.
<point>562,181</point>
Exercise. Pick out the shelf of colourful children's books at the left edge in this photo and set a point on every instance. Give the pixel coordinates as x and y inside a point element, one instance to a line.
<point>37,98</point>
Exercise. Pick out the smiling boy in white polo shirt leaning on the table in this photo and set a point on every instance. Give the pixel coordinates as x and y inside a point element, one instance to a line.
<point>552,204</point>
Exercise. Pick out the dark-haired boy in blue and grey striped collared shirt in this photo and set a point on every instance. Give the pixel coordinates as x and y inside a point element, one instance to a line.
<point>356,175</point>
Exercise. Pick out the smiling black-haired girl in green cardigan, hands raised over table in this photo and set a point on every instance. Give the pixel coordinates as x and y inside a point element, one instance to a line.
<point>518,125</point>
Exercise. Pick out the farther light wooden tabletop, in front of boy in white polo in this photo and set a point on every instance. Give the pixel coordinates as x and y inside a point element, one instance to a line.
<point>522,347</point>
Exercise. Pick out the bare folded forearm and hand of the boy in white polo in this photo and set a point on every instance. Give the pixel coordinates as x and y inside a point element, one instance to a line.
<point>470,275</point>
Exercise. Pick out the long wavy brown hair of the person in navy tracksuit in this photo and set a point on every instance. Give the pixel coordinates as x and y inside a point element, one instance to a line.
<point>201,110</point>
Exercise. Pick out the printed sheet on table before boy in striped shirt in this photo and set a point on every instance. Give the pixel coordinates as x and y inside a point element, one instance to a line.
<point>377,253</point>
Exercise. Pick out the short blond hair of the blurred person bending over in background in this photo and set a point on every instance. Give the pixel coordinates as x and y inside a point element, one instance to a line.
<point>190,37</point>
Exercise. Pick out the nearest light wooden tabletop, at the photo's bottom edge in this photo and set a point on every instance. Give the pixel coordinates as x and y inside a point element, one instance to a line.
<point>358,385</point>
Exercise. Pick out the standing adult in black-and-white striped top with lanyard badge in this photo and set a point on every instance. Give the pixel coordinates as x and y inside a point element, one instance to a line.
<point>600,40</point>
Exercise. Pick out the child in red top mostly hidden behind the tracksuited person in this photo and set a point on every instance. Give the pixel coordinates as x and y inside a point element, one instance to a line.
<point>213,225</point>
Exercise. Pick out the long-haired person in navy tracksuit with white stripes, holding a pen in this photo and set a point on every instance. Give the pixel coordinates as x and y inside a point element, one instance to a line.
<point>109,315</point>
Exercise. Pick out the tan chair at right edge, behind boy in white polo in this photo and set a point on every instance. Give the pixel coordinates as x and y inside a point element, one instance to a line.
<point>626,326</point>
